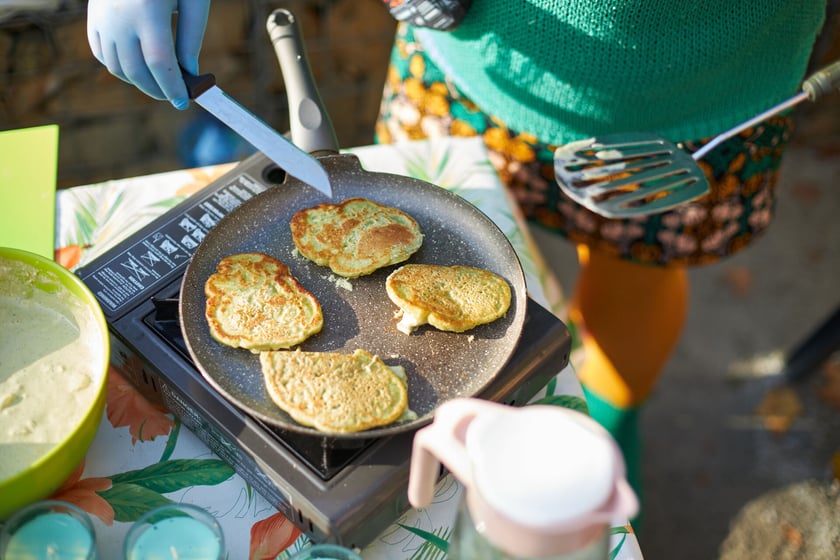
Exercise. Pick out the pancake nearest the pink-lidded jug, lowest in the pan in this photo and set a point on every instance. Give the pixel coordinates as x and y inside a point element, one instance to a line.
<point>332,392</point>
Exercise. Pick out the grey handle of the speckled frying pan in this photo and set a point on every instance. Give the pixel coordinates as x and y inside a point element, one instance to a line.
<point>310,125</point>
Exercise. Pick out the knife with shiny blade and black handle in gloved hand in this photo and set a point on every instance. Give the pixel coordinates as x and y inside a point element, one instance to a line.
<point>294,161</point>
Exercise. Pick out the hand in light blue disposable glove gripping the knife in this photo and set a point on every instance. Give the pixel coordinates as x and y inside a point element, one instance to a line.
<point>134,40</point>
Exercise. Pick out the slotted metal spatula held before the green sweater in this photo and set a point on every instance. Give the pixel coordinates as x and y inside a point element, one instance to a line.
<point>637,174</point>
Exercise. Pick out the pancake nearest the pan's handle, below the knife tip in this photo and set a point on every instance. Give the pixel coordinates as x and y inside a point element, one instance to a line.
<point>356,237</point>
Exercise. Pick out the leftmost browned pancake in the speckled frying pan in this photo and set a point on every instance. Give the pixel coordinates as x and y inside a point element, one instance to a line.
<point>254,302</point>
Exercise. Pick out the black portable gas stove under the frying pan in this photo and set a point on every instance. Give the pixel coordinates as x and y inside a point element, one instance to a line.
<point>342,491</point>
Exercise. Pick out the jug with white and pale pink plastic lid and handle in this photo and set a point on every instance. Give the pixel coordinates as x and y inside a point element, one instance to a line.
<point>540,481</point>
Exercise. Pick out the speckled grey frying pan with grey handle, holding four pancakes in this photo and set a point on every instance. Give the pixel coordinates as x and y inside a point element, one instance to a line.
<point>357,312</point>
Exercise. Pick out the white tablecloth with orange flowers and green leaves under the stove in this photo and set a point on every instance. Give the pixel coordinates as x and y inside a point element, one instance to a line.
<point>143,457</point>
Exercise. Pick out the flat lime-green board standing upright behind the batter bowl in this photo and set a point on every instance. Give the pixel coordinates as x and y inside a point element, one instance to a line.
<point>28,163</point>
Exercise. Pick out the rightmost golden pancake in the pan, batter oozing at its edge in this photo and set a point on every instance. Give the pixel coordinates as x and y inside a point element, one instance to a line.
<point>450,298</point>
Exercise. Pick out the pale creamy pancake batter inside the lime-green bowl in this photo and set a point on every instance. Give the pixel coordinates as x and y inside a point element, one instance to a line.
<point>48,380</point>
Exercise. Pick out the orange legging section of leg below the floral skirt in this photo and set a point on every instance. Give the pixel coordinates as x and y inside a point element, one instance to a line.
<point>630,317</point>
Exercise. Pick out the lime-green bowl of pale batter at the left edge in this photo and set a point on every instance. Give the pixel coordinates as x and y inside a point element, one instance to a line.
<point>43,288</point>
